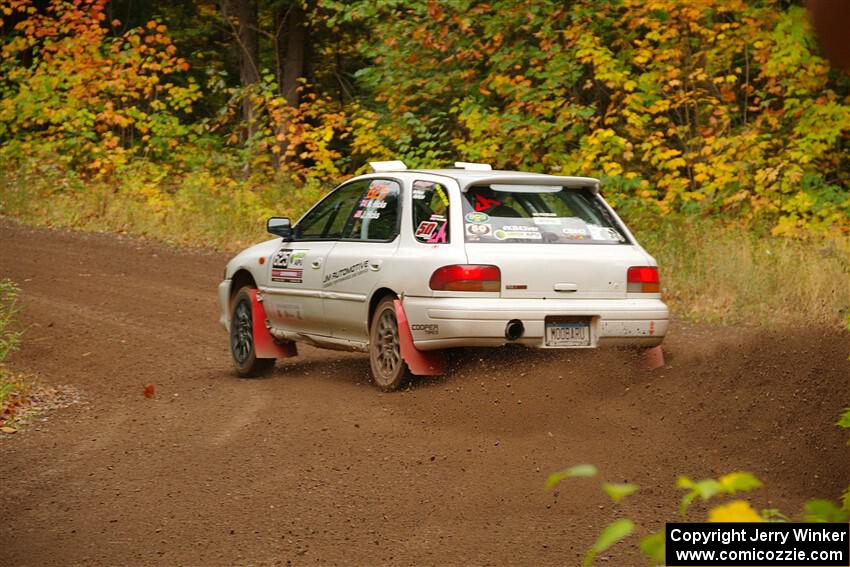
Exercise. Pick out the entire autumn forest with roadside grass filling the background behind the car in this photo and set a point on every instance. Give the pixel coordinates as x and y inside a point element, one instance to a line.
<point>715,123</point>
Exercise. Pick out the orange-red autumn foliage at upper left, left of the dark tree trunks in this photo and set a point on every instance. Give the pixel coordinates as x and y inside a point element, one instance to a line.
<point>91,99</point>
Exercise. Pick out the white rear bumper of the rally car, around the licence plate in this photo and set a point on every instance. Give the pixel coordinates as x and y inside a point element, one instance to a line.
<point>441,322</point>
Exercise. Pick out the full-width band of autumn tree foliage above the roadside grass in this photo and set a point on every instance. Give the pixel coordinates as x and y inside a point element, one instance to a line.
<point>711,107</point>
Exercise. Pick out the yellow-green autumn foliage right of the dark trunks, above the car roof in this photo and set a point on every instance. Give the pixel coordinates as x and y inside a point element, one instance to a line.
<point>709,106</point>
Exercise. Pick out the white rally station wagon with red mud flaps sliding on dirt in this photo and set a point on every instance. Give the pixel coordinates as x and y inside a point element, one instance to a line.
<point>405,263</point>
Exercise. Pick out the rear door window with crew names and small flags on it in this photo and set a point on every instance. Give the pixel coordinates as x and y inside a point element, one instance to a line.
<point>375,215</point>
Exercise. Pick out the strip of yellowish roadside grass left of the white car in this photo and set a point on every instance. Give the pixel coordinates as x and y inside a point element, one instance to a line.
<point>196,209</point>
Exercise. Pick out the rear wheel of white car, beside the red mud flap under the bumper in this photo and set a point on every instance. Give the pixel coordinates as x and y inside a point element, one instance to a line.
<point>389,370</point>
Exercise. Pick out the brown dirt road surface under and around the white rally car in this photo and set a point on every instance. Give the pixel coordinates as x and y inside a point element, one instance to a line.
<point>313,466</point>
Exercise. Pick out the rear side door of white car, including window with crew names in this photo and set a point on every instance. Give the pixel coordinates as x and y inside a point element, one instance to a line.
<point>357,263</point>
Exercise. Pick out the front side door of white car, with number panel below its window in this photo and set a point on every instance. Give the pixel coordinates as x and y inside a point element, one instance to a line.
<point>296,269</point>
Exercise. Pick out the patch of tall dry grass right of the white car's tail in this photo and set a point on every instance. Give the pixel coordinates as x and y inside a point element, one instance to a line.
<point>732,275</point>
